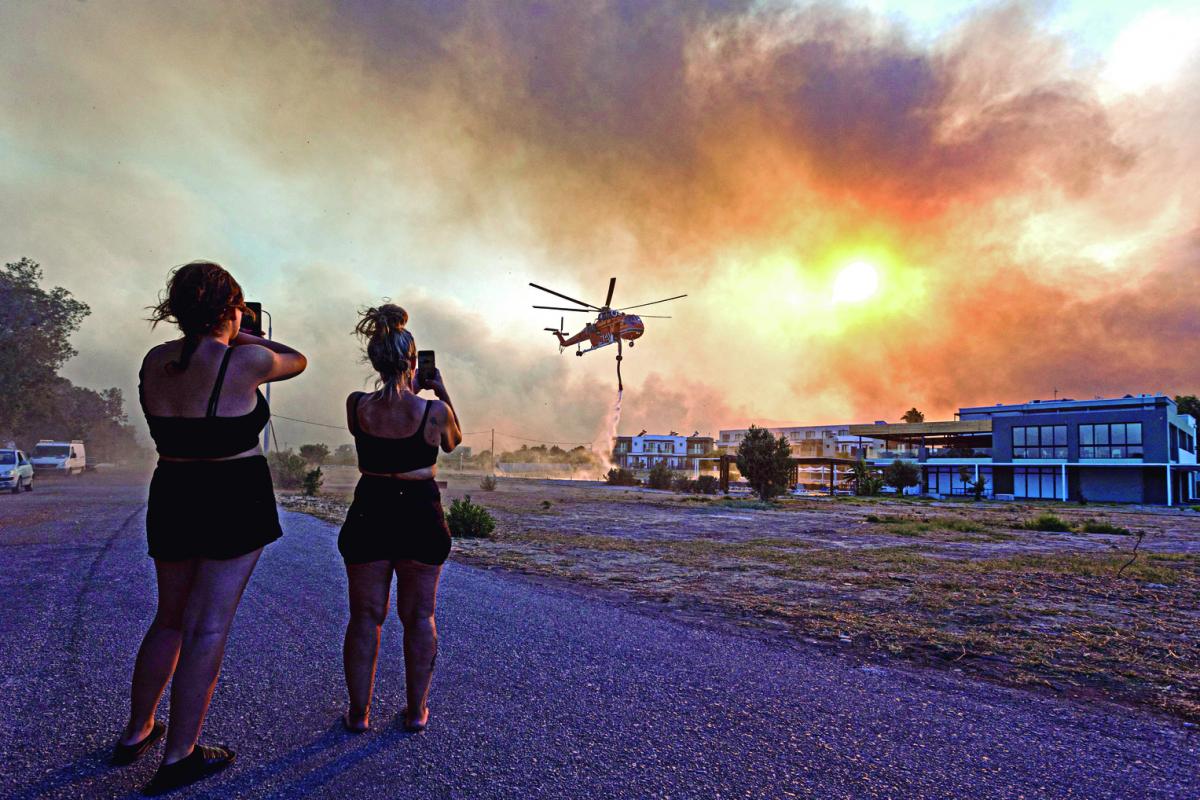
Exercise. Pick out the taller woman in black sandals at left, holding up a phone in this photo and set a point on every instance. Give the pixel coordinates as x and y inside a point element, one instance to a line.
<point>211,512</point>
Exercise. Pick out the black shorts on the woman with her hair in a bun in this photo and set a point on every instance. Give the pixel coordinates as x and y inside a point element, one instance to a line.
<point>393,520</point>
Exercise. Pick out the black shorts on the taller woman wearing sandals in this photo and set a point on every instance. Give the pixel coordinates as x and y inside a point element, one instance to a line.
<point>211,509</point>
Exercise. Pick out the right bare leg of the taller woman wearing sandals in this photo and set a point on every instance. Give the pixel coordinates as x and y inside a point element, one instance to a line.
<point>214,598</point>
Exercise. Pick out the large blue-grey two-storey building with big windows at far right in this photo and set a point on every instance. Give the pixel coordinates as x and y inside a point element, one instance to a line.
<point>1132,449</point>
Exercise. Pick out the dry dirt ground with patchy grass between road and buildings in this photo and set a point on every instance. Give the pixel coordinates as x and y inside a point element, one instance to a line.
<point>958,585</point>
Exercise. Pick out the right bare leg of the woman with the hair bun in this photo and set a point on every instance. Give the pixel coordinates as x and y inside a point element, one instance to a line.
<point>417,593</point>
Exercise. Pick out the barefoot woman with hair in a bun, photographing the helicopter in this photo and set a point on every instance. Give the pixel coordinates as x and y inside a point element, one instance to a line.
<point>395,525</point>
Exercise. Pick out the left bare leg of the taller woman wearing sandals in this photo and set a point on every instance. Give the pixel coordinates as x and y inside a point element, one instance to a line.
<point>160,648</point>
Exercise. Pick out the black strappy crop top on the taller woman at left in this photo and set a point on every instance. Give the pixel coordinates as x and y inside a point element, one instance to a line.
<point>209,436</point>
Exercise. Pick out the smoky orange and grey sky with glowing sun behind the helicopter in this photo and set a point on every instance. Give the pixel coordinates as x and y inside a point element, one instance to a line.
<point>871,206</point>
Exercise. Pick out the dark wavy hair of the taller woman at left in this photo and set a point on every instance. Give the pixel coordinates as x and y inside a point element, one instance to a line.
<point>201,297</point>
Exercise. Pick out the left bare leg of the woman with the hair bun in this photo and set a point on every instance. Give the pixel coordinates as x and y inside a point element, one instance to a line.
<point>370,588</point>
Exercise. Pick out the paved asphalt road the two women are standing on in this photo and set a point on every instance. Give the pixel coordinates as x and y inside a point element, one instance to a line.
<point>541,693</point>
